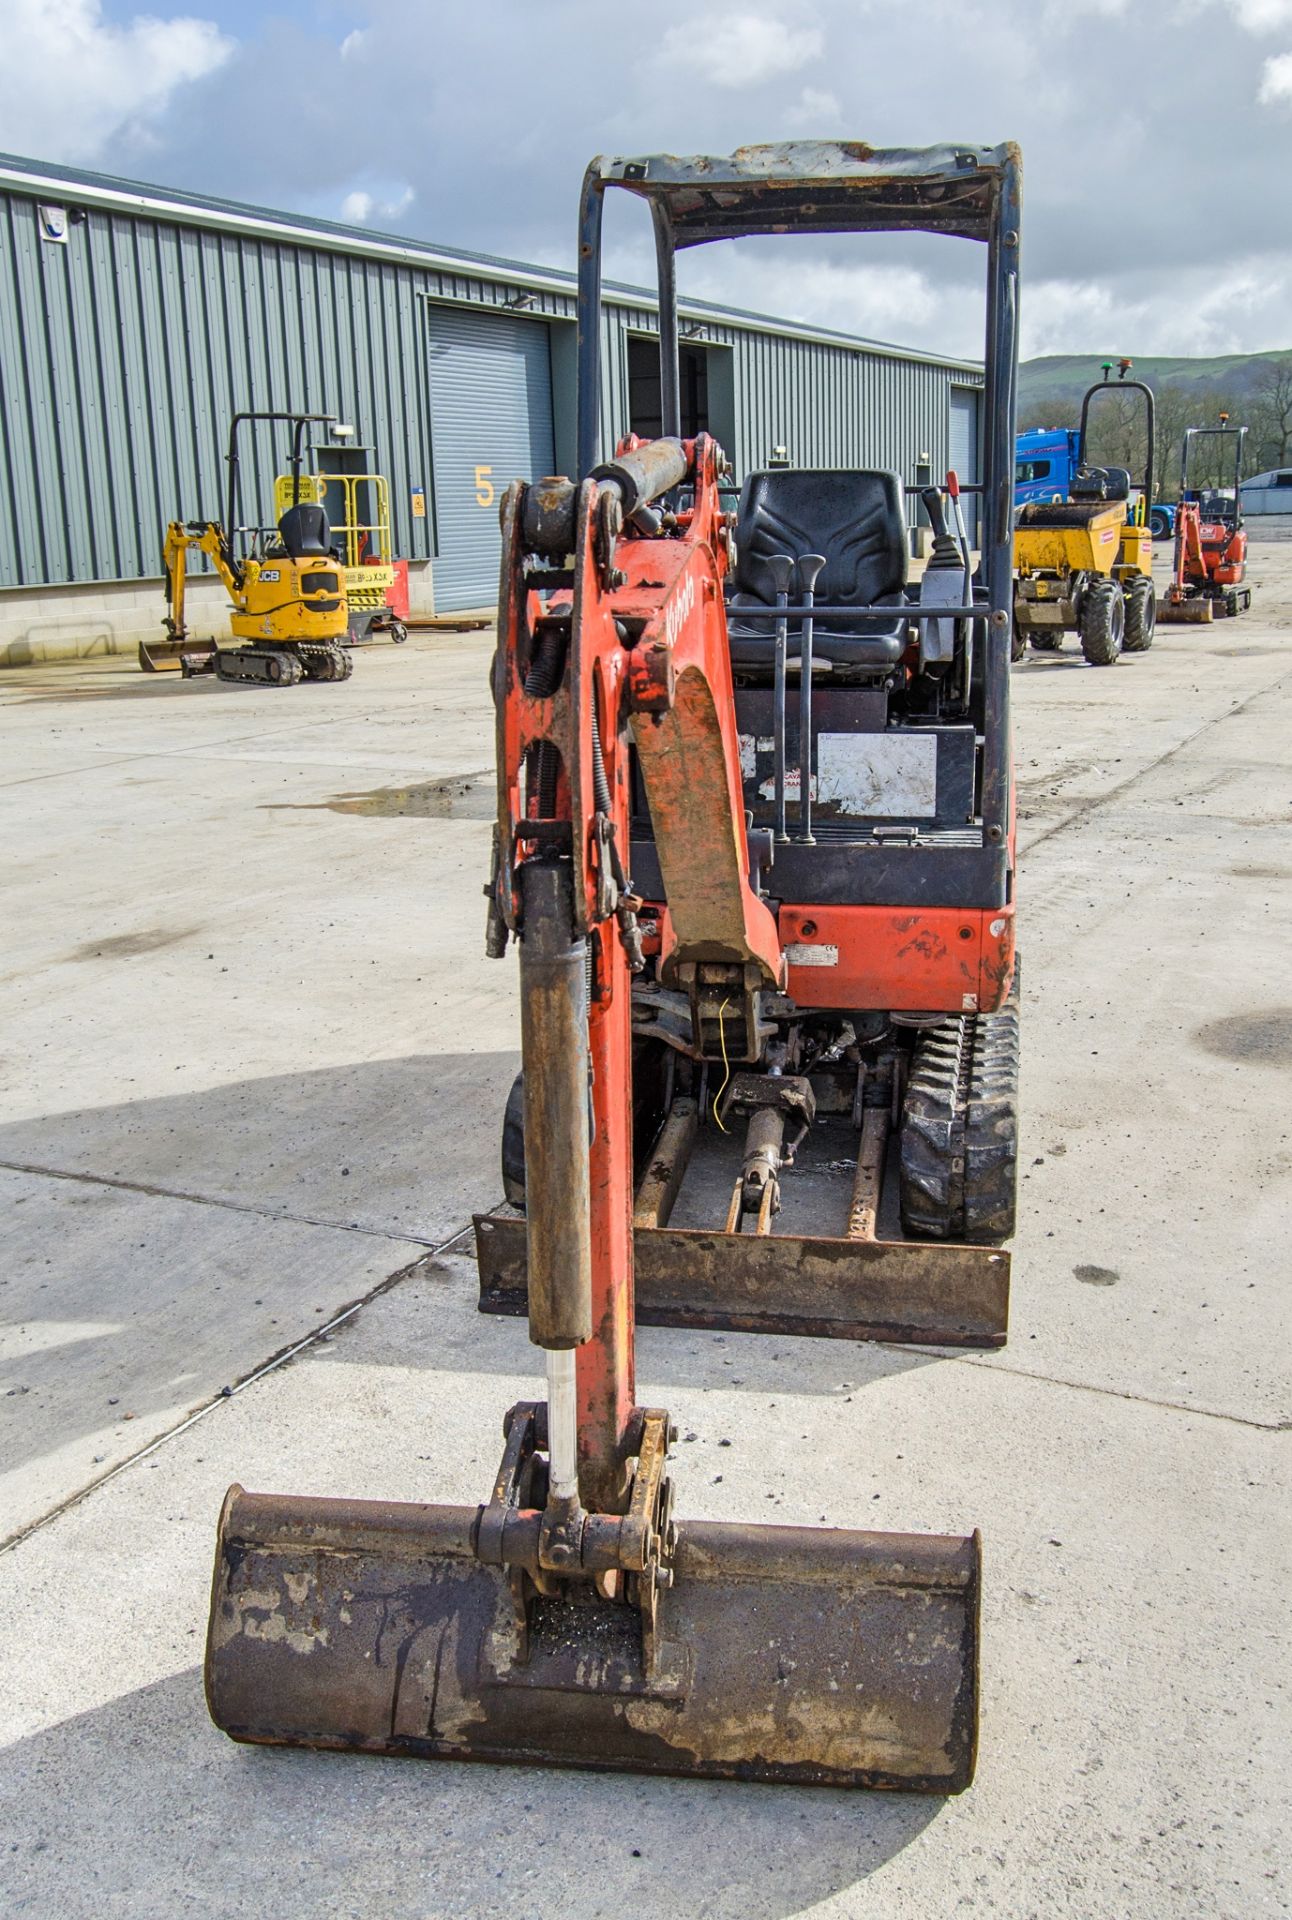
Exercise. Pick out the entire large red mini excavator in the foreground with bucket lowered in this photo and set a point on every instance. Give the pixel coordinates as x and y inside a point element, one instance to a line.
<point>755,846</point>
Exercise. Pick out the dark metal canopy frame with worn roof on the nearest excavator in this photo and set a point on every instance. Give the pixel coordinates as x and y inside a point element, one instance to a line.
<point>970,193</point>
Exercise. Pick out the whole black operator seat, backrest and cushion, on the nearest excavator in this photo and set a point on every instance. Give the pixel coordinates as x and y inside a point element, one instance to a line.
<point>855,517</point>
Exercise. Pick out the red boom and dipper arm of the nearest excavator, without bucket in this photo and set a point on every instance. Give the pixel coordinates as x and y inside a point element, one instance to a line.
<point>627,644</point>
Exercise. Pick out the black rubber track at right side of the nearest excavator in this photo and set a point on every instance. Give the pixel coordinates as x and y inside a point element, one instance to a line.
<point>959,1149</point>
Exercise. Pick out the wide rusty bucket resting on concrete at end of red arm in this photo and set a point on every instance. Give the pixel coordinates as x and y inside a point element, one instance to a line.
<point>784,1654</point>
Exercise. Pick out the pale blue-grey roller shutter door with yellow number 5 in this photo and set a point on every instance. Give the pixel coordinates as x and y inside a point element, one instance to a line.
<point>490,418</point>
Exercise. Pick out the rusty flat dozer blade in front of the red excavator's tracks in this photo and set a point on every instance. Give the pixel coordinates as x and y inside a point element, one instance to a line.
<point>922,1293</point>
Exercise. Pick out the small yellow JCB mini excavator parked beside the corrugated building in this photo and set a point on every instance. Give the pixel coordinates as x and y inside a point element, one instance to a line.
<point>289,604</point>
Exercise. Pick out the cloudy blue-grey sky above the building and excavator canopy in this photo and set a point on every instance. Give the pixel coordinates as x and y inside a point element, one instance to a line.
<point>1157,137</point>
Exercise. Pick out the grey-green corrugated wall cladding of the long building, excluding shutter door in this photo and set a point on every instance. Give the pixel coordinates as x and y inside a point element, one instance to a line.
<point>126,352</point>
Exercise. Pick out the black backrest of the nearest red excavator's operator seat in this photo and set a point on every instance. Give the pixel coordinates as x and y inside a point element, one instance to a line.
<point>851,516</point>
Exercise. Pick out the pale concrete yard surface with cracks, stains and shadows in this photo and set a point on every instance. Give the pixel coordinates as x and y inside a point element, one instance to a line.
<point>252,1074</point>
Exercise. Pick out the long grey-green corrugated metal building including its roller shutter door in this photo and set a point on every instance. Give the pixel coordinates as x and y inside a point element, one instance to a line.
<point>137,320</point>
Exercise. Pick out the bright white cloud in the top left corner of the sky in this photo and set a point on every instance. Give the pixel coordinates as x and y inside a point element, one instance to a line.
<point>70,80</point>
